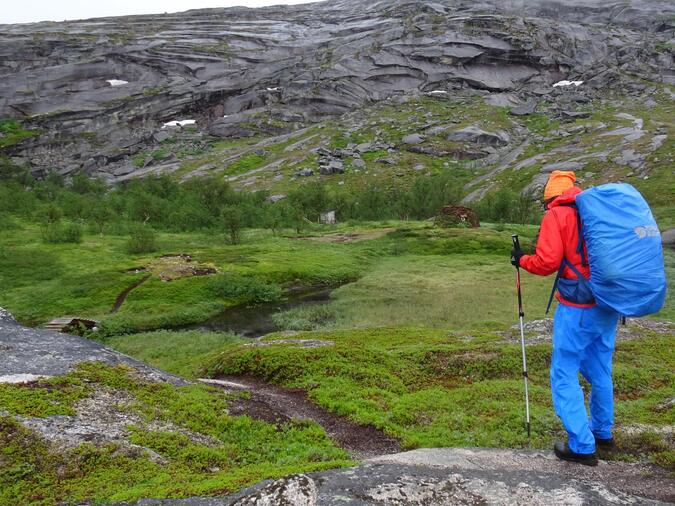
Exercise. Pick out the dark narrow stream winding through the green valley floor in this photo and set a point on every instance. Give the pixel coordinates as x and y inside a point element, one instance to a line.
<point>256,320</point>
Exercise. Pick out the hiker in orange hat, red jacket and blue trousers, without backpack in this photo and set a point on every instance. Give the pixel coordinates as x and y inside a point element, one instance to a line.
<point>583,332</point>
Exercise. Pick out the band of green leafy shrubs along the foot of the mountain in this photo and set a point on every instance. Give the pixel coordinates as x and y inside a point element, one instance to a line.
<point>210,204</point>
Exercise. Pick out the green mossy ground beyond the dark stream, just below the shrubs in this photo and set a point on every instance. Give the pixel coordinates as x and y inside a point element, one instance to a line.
<point>43,281</point>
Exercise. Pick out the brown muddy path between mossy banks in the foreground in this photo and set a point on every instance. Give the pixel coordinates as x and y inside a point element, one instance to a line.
<point>275,404</point>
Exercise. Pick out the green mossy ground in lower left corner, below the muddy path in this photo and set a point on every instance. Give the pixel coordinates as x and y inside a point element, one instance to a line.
<point>242,451</point>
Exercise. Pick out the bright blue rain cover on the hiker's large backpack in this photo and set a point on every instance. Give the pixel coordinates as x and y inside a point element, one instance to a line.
<point>624,249</point>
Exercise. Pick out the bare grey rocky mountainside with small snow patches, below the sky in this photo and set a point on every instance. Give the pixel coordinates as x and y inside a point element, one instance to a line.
<point>94,95</point>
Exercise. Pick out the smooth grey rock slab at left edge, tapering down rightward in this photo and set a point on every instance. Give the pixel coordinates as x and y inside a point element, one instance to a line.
<point>27,351</point>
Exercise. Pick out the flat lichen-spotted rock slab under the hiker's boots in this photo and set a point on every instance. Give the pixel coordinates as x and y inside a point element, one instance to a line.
<point>450,476</point>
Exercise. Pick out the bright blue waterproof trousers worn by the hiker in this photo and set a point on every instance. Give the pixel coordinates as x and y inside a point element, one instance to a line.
<point>583,341</point>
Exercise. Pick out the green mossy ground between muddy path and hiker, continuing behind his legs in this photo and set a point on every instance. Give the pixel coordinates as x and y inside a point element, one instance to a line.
<point>434,388</point>
